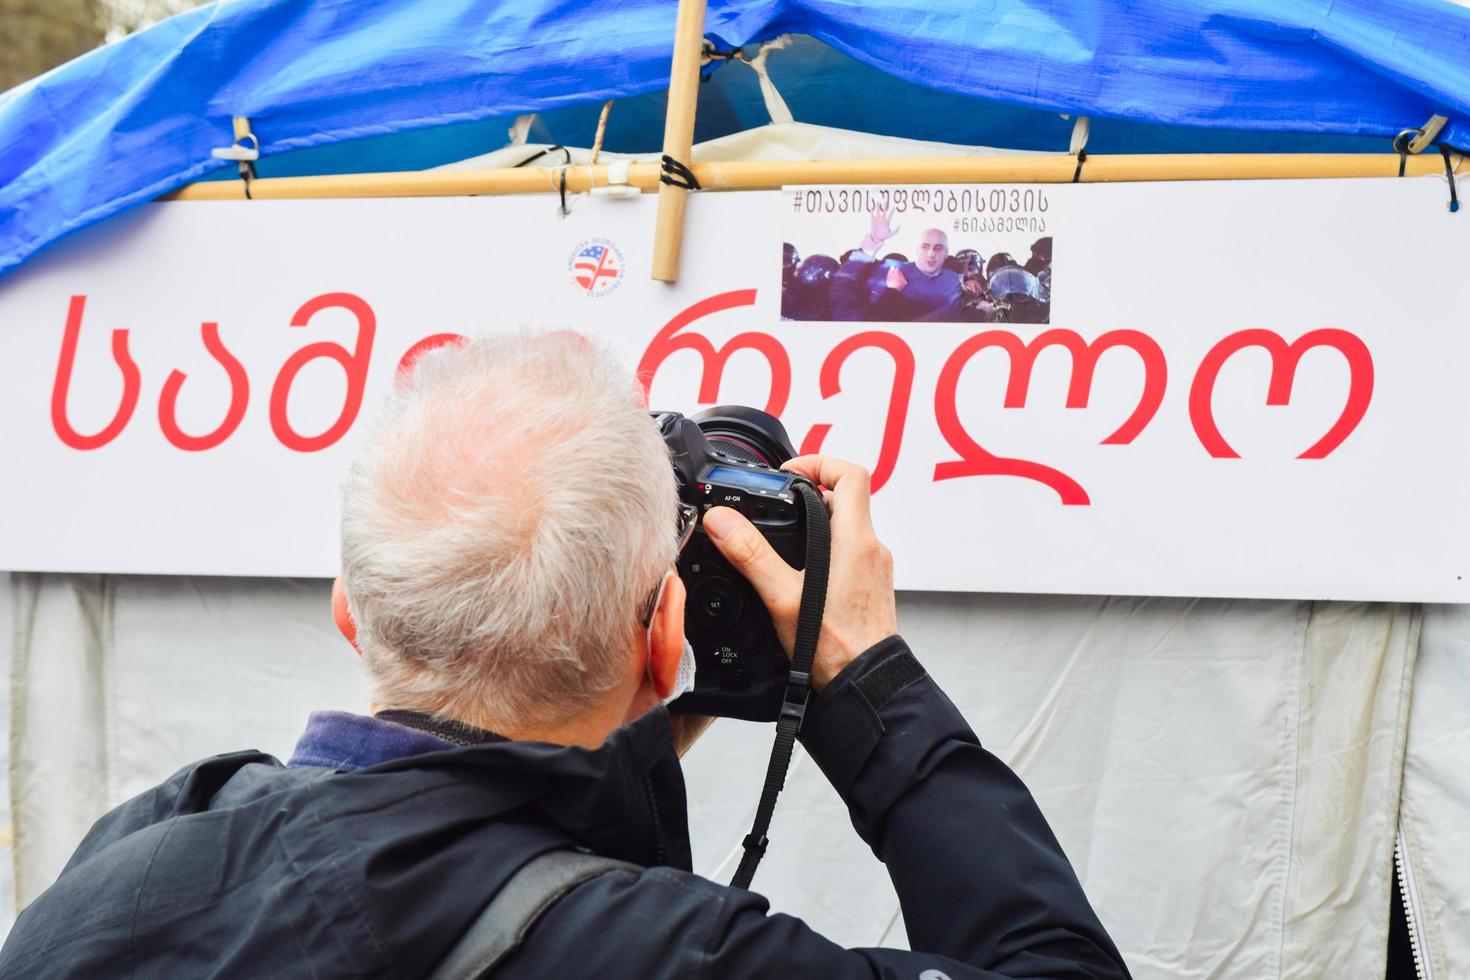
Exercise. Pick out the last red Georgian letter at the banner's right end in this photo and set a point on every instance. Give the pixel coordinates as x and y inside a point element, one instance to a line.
<point>1284,372</point>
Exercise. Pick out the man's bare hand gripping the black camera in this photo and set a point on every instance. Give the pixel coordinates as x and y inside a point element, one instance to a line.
<point>861,606</point>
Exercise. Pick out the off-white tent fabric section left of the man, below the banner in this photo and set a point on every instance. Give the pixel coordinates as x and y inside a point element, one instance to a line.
<point>118,681</point>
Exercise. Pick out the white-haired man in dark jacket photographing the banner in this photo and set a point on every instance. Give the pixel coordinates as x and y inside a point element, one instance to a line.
<point>509,540</point>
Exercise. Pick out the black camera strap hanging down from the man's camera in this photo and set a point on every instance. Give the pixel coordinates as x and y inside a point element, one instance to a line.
<point>799,682</point>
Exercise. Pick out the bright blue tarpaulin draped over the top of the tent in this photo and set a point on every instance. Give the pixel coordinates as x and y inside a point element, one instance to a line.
<point>405,83</point>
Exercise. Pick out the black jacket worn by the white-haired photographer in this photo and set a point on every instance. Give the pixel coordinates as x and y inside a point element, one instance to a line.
<point>239,866</point>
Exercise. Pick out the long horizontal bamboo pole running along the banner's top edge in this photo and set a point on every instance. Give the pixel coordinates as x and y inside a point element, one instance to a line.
<point>755,176</point>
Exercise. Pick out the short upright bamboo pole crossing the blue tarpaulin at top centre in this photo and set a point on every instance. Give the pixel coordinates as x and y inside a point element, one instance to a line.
<point>678,136</point>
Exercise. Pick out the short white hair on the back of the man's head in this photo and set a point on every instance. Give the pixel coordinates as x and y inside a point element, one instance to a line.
<point>502,522</point>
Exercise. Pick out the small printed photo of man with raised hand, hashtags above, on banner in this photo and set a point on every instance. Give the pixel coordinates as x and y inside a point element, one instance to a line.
<point>917,256</point>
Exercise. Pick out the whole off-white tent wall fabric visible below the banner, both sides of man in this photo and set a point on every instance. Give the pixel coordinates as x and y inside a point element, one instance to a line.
<point>1224,775</point>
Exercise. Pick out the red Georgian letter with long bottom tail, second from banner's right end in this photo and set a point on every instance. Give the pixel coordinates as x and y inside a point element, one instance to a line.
<point>980,462</point>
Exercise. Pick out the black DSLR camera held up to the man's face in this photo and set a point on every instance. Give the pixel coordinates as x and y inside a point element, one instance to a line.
<point>728,458</point>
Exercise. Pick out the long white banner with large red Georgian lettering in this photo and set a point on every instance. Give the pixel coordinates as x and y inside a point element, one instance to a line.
<point>1215,389</point>
